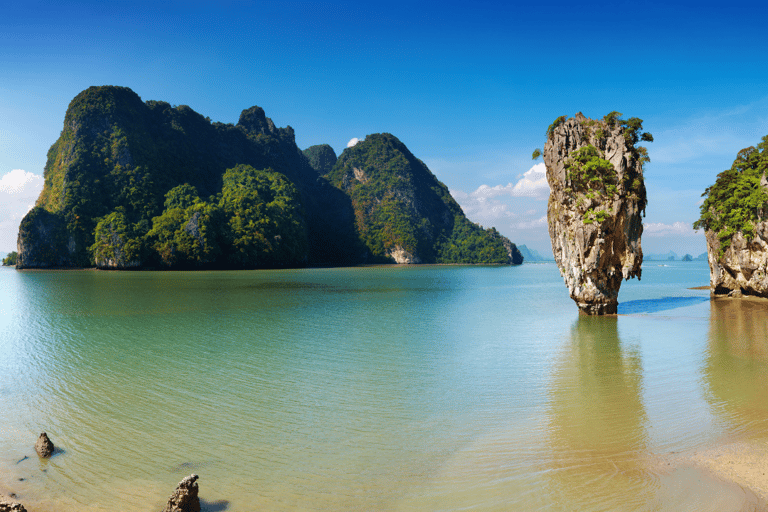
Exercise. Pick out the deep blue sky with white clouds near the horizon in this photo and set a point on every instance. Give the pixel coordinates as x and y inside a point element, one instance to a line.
<point>469,88</point>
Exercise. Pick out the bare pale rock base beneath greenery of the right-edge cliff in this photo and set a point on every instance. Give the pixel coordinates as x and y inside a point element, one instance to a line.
<point>742,268</point>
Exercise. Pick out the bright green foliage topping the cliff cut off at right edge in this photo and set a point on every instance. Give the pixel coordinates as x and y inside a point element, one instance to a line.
<point>739,198</point>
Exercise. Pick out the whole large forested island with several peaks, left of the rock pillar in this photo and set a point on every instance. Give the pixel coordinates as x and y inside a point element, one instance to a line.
<point>133,184</point>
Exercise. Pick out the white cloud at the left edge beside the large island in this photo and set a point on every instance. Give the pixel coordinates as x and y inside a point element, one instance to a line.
<point>19,190</point>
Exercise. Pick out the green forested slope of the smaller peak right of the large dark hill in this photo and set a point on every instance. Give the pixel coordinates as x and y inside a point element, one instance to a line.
<point>400,206</point>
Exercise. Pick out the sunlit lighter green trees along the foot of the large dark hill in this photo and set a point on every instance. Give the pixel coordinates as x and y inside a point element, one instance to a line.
<point>256,221</point>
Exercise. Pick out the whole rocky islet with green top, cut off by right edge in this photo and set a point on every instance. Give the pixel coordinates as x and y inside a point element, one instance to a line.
<point>734,215</point>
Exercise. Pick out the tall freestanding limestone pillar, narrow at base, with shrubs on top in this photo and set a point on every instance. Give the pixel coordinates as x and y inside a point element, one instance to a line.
<point>597,196</point>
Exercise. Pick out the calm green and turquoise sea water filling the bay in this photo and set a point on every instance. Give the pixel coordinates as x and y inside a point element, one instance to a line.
<point>373,388</point>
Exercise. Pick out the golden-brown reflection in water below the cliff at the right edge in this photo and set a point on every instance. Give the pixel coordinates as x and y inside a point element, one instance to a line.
<point>736,367</point>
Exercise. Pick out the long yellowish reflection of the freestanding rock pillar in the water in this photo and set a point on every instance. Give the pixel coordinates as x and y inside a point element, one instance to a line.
<point>597,421</point>
